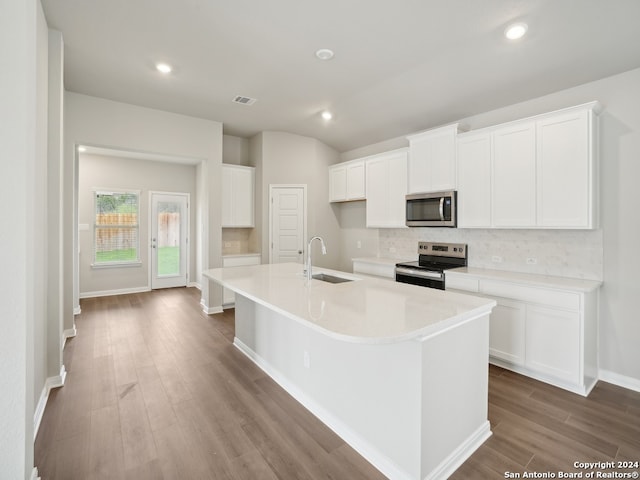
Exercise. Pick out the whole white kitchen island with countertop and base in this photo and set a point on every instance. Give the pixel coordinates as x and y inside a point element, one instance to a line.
<point>399,371</point>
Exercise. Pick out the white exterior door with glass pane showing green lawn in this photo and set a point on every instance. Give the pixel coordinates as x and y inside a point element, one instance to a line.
<point>169,239</point>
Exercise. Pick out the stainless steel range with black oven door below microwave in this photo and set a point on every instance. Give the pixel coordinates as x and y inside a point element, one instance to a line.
<point>433,260</point>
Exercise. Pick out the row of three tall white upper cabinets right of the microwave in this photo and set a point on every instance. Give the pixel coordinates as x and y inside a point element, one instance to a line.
<point>533,173</point>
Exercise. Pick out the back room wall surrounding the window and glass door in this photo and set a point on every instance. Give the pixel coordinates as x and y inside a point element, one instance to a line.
<point>118,173</point>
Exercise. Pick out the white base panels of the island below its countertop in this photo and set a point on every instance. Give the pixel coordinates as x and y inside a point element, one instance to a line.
<point>415,409</point>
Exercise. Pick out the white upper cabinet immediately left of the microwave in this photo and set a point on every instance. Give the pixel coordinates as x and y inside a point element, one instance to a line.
<point>386,189</point>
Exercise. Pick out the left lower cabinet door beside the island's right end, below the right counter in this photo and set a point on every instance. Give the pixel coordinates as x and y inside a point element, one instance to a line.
<point>507,331</point>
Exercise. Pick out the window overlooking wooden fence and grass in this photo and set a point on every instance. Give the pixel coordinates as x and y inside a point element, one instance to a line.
<point>116,228</point>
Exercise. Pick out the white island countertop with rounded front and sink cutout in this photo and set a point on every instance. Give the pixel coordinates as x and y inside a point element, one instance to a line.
<point>364,310</point>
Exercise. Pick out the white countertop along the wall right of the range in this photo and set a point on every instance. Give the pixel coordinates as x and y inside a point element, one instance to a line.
<point>550,281</point>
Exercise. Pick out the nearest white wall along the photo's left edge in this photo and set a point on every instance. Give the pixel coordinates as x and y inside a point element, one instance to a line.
<point>23,34</point>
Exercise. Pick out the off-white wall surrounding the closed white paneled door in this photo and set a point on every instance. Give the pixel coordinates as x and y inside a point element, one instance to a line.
<point>285,158</point>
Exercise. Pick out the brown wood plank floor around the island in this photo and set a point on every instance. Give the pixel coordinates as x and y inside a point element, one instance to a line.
<point>155,390</point>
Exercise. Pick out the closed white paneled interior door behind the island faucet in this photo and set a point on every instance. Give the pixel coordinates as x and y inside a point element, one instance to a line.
<point>287,218</point>
